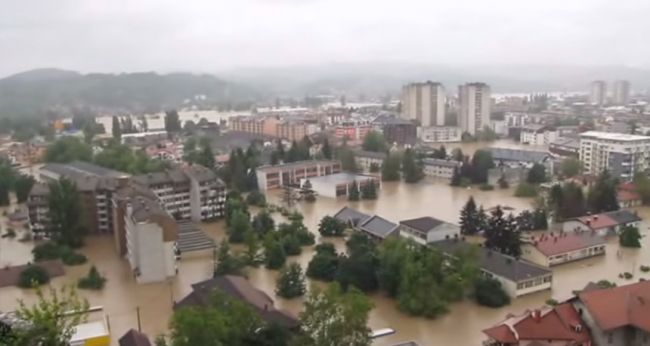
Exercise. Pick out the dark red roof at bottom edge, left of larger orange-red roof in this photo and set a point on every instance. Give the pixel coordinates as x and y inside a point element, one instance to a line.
<point>555,324</point>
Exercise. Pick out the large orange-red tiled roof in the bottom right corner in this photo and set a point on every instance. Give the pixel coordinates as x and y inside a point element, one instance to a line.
<point>616,307</point>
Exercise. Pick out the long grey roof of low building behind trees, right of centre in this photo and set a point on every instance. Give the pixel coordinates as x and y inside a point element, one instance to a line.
<point>495,262</point>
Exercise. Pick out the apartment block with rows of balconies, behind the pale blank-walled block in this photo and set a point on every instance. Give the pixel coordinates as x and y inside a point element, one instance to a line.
<point>193,192</point>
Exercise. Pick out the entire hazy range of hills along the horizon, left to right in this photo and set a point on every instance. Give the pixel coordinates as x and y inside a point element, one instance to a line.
<point>34,92</point>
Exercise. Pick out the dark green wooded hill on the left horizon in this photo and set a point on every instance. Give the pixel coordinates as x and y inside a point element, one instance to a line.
<point>33,93</point>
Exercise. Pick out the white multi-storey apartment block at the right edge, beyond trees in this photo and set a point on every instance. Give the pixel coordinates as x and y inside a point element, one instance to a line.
<point>621,154</point>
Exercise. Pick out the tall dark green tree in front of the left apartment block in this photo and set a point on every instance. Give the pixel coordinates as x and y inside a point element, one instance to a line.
<point>64,212</point>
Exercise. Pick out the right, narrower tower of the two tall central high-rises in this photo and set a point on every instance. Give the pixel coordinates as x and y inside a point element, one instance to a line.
<point>474,110</point>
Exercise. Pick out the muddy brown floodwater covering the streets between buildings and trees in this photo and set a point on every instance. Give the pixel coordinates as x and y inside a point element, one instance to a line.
<point>122,297</point>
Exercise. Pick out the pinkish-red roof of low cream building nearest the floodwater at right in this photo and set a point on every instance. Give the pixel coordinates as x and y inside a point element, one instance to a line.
<point>560,243</point>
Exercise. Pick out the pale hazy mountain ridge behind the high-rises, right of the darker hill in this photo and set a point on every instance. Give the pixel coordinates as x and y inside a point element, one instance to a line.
<point>376,79</point>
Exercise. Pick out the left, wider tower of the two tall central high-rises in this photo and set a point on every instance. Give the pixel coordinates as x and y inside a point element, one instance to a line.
<point>424,102</point>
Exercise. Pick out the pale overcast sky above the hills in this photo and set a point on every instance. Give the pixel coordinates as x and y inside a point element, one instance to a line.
<point>216,35</point>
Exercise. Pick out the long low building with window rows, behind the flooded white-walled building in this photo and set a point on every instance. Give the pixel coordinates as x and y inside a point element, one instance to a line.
<point>276,176</point>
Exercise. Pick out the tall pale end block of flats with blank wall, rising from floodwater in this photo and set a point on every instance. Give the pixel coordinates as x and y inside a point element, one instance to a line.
<point>151,235</point>
